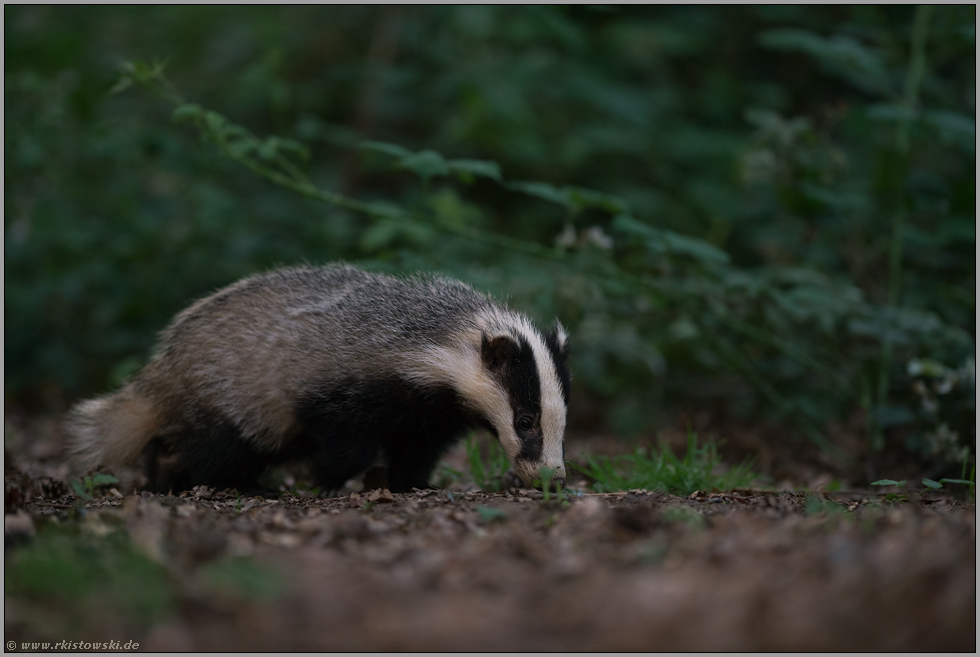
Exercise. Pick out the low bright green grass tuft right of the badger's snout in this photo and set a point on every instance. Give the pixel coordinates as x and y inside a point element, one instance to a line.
<point>650,469</point>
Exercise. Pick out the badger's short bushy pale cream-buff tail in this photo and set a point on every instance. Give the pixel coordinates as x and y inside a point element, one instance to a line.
<point>110,431</point>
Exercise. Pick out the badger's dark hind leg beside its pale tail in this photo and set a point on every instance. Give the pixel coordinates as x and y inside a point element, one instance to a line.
<point>209,451</point>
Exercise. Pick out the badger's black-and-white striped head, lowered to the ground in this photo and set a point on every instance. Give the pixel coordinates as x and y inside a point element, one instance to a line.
<point>530,371</point>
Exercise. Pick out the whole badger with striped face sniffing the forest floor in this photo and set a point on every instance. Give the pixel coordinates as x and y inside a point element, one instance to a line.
<point>341,368</point>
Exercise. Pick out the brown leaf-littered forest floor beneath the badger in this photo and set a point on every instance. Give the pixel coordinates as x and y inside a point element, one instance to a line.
<point>465,570</point>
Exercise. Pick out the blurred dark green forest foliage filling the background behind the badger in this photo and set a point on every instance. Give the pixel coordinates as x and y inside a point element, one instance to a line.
<point>772,208</point>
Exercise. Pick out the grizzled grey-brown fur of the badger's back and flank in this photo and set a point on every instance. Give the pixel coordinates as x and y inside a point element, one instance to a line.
<point>251,350</point>
